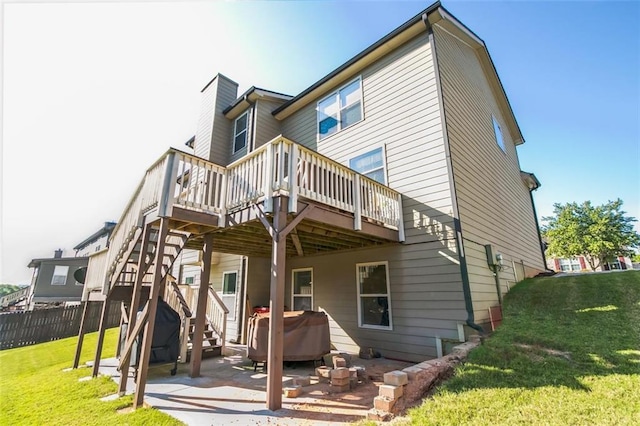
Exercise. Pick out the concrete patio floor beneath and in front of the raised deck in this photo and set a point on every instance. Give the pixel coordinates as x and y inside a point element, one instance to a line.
<point>230,392</point>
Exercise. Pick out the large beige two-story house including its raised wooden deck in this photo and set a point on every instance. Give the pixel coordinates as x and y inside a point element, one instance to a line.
<point>388,194</point>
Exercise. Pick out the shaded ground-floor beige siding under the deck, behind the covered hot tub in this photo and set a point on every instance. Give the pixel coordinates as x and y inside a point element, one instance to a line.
<point>426,298</point>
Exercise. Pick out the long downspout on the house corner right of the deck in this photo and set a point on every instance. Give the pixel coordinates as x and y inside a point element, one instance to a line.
<point>466,287</point>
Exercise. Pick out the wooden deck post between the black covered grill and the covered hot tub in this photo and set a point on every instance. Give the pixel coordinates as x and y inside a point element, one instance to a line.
<point>201,308</point>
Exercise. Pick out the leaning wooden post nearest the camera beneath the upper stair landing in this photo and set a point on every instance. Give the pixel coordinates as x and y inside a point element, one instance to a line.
<point>145,352</point>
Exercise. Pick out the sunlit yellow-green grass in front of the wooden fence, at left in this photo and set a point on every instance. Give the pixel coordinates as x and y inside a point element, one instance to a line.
<point>35,391</point>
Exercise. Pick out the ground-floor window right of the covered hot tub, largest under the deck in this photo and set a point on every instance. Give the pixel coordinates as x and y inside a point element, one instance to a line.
<point>374,303</point>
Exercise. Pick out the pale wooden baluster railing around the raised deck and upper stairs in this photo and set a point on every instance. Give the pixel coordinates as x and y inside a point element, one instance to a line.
<point>183,180</point>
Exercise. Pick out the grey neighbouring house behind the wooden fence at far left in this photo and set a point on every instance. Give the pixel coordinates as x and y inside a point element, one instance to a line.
<point>53,281</point>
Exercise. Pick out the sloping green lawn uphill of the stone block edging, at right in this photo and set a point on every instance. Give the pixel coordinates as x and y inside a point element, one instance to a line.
<point>567,353</point>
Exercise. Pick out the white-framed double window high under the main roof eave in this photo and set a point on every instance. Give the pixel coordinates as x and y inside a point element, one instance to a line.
<point>340,109</point>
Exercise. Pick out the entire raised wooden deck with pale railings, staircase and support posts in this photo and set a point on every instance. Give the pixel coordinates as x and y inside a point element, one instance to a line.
<point>281,201</point>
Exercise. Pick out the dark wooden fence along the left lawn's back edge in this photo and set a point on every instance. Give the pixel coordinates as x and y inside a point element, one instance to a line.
<point>31,327</point>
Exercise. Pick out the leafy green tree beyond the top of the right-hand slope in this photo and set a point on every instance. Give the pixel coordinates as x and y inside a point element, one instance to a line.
<point>599,233</point>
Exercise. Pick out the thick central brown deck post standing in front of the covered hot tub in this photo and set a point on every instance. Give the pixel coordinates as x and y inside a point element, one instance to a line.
<point>276,309</point>
